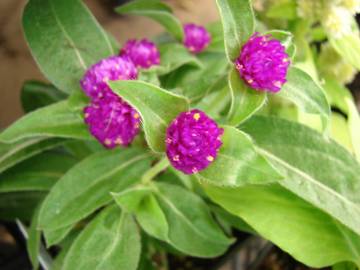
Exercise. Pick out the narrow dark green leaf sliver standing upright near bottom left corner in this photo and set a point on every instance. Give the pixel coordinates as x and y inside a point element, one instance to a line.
<point>33,241</point>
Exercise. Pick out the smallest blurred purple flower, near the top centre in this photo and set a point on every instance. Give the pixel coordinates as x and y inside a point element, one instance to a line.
<point>197,38</point>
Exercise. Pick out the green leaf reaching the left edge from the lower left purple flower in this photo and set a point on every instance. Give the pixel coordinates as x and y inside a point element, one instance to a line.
<point>55,120</point>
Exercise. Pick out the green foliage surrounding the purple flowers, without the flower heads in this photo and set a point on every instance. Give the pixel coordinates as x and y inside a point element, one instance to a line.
<point>274,176</point>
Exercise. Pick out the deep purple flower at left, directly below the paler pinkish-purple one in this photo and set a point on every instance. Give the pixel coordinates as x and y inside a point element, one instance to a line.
<point>112,121</point>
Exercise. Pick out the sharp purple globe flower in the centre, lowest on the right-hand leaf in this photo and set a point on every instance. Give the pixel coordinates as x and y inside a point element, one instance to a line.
<point>192,141</point>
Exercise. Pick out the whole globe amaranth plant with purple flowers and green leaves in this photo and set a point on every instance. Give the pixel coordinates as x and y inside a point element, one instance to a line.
<point>167,147</point>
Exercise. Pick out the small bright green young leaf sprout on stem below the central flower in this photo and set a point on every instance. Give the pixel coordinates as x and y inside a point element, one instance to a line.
<point>140,201</point>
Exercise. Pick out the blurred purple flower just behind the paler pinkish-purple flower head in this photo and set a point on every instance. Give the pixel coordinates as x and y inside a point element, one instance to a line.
<point>143,53</point>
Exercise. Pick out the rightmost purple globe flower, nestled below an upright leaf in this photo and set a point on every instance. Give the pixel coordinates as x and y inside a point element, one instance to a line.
<point>263,63</point>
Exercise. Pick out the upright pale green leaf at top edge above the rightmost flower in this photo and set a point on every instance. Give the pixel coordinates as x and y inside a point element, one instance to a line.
<point>238,22</point>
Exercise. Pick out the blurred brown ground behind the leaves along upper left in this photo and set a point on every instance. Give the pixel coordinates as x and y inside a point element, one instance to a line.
<point>17,65</point>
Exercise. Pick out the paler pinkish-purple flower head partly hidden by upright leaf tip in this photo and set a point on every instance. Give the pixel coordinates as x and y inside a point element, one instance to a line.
<point>112,68</point>
